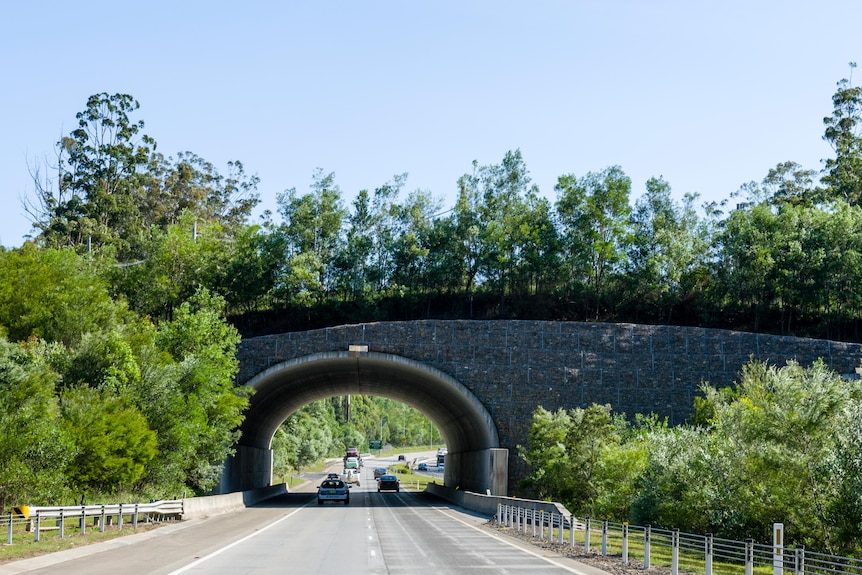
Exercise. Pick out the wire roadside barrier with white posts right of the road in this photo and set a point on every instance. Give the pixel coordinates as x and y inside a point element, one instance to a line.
<point>696,553</point>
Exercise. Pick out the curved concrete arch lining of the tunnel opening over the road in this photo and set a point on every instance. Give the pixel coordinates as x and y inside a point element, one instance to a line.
<point>474,462</point>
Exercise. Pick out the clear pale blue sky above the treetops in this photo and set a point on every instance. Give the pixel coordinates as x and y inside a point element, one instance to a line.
<point>707,95</point>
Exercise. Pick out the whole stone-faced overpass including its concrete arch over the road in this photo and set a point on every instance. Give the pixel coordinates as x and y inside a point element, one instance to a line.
<point>480,381</point>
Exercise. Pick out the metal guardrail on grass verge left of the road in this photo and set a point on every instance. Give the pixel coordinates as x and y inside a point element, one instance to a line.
<point>34,521</point>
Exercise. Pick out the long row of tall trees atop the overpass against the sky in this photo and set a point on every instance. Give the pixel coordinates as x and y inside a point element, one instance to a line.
<point>780,256</point>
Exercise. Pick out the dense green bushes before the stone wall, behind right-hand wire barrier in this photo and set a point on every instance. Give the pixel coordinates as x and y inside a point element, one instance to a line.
<point>782,446</point>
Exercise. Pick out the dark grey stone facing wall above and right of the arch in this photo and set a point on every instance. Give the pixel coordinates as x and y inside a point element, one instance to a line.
<point>514,366</point>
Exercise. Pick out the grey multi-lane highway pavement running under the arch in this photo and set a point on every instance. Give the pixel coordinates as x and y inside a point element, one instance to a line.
<point>377,533</point>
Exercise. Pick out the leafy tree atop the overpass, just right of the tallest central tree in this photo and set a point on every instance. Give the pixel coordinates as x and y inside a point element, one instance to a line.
<point>594,212</point>
